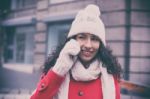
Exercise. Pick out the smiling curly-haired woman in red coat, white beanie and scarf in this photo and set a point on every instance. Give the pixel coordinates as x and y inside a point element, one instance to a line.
<point>84,68</point>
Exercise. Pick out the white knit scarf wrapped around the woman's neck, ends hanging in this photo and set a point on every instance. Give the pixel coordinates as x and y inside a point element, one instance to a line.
<point>80,73</point>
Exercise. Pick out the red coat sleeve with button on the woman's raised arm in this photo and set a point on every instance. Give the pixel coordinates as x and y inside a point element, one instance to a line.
<point>48,86</point>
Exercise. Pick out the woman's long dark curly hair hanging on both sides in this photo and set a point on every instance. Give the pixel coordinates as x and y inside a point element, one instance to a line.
<point>104,55</point>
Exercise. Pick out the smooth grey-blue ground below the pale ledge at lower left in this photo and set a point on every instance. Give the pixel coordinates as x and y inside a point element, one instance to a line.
<point>18,80</point>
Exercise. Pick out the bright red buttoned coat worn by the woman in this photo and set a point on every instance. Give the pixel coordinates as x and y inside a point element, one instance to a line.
<point>49,85</point>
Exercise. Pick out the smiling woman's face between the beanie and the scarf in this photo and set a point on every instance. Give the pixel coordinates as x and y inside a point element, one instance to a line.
<point>89,46</point>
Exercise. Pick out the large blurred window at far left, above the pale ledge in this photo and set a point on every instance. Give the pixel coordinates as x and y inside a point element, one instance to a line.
<point>20,45</point>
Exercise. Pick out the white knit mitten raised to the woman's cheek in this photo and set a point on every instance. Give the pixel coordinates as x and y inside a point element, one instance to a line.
<point>66,57</point>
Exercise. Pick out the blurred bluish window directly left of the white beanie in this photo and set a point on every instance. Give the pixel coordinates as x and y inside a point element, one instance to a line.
<point>57,35</point>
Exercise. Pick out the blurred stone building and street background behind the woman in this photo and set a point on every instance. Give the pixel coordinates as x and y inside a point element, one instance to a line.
<point>32,29</point>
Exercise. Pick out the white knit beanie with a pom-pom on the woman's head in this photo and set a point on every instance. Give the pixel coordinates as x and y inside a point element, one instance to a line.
<point>88,21</point>
